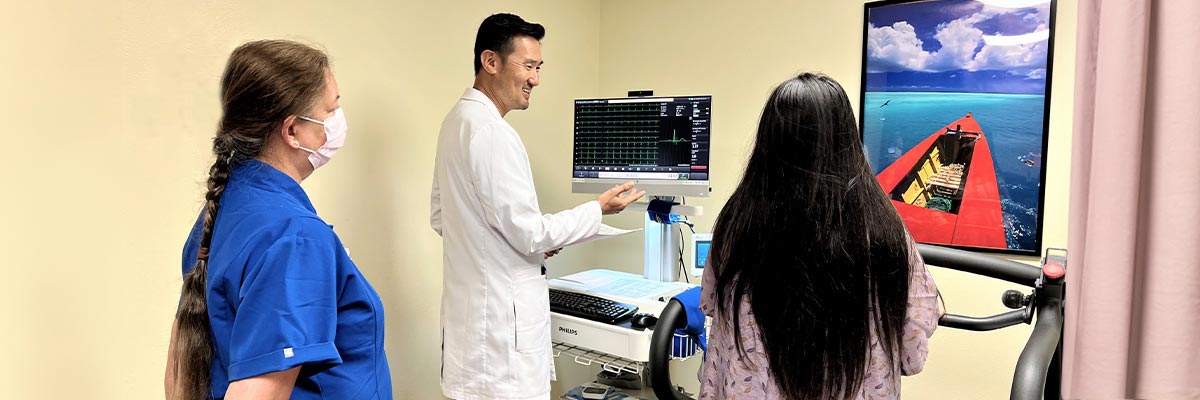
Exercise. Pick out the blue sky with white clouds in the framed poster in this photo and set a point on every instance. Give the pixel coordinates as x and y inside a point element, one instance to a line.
<point>989,46</point>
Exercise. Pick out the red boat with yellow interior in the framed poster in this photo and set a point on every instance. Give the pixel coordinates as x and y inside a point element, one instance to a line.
<point>945,188</point>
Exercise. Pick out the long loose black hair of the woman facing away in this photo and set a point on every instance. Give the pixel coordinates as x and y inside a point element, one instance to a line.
<point>815,246</point>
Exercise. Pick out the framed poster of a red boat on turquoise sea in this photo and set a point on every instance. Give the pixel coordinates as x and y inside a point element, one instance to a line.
<point>955,117</point>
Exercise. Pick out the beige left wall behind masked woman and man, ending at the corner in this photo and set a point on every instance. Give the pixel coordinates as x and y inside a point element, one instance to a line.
<point>111,110</point>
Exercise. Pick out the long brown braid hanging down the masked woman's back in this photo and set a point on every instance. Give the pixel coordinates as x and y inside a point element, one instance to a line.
<point>194,350</point>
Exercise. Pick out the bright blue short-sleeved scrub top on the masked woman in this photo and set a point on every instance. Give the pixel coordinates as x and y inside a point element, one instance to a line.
<point>283,292</point>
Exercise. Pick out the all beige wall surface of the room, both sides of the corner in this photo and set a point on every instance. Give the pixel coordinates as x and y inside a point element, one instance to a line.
<point>110,110</point>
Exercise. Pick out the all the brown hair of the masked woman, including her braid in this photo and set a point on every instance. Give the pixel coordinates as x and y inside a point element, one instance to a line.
<point>263,85</point>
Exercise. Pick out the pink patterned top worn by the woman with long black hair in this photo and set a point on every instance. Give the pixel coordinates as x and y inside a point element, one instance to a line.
<point>728,378</point>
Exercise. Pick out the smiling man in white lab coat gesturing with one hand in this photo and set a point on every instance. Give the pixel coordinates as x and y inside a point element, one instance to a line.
<point>495,301</point>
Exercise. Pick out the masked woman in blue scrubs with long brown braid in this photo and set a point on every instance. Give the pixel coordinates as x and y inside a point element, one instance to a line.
<point>273,307</point>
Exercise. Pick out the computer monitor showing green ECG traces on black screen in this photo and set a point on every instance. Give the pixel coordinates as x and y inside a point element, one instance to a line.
<point>661,144</point>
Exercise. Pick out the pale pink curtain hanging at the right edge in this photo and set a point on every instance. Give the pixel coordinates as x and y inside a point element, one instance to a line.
<point>1133,312</point>
